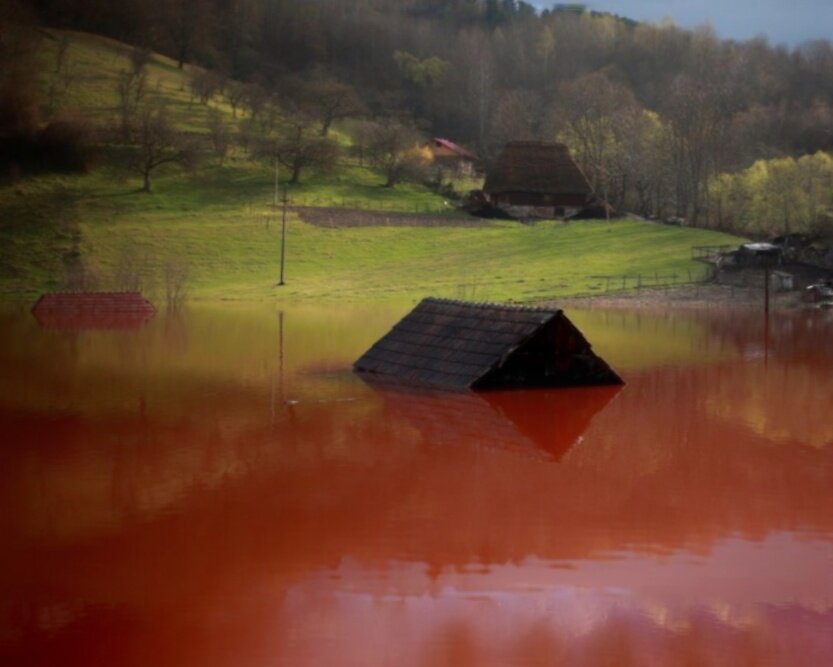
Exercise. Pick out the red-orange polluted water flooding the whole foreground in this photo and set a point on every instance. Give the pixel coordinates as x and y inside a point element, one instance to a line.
<point>217,488</point>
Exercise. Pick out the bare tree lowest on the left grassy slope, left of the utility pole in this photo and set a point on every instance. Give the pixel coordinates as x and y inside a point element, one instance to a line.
<point>158,143</point>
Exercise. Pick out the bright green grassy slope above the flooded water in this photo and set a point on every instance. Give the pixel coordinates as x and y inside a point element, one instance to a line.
<point>220,222</point>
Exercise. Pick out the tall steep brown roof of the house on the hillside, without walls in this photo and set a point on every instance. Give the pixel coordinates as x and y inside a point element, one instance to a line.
<point>536,166</point>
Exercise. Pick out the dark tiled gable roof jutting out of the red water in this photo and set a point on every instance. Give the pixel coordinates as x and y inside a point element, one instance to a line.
<point>462,345</point>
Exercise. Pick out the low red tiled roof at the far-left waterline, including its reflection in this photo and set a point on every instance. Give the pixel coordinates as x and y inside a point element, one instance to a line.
<point>93,310</point>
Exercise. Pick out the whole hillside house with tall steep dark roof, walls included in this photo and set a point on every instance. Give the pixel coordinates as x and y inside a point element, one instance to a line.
<point>537,179</point>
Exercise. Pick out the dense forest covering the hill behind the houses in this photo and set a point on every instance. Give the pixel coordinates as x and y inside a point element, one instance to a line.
<point>664,121</point>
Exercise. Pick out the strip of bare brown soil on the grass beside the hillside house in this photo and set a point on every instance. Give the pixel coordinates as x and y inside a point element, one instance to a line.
<point>350,217</point>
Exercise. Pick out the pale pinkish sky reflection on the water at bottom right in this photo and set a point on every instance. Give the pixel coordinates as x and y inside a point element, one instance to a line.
<point>741,587</point>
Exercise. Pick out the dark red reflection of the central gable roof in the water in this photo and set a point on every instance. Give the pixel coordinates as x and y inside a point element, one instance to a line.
<point>542,424</point>
